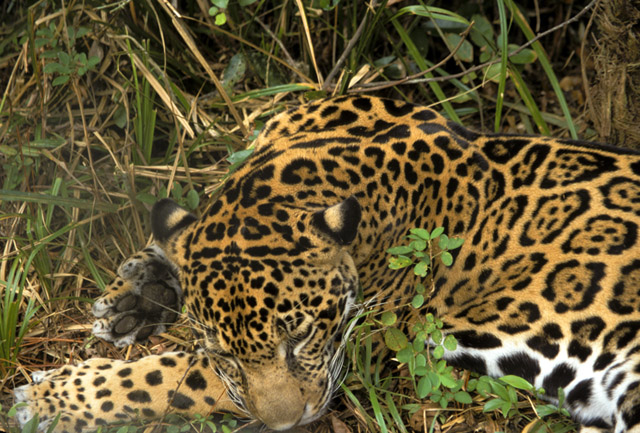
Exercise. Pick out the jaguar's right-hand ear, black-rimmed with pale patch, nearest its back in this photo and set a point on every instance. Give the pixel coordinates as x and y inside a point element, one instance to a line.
<point>340,222</point>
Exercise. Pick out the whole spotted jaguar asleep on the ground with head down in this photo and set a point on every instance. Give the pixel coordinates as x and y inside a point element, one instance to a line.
<point>546,285</point>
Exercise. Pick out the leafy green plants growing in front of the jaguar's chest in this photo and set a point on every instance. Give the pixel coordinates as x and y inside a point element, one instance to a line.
<point>433,390</point>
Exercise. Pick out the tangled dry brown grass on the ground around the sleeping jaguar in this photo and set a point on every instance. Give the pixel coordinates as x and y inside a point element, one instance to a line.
<point>80,160</point>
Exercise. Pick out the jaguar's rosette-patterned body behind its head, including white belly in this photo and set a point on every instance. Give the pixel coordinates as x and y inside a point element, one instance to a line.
<point>547,283</point>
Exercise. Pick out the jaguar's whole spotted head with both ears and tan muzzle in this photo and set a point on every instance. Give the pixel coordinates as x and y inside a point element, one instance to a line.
<point>271,285</point>
